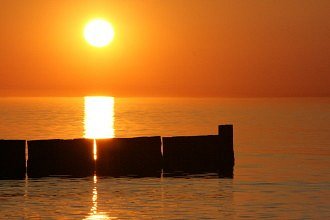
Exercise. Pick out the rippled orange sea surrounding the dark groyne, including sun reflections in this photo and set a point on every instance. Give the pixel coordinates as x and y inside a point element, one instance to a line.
<point>281,145</point>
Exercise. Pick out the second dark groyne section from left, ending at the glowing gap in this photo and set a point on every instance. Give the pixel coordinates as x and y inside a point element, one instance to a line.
<point>61,157</point>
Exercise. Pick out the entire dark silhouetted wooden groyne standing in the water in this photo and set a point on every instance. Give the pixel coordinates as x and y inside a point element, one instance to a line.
<point>139,156</point>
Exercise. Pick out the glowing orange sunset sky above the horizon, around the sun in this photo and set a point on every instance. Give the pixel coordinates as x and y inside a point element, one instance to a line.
<point>167,48</point>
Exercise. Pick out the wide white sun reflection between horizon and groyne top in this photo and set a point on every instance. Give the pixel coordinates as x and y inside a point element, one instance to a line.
<point>99,117</point>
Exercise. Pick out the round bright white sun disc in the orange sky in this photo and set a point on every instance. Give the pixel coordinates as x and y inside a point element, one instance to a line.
<point>99,33</point>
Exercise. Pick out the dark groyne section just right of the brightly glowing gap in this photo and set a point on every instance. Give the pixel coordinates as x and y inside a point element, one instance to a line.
<point>138,157</point>
